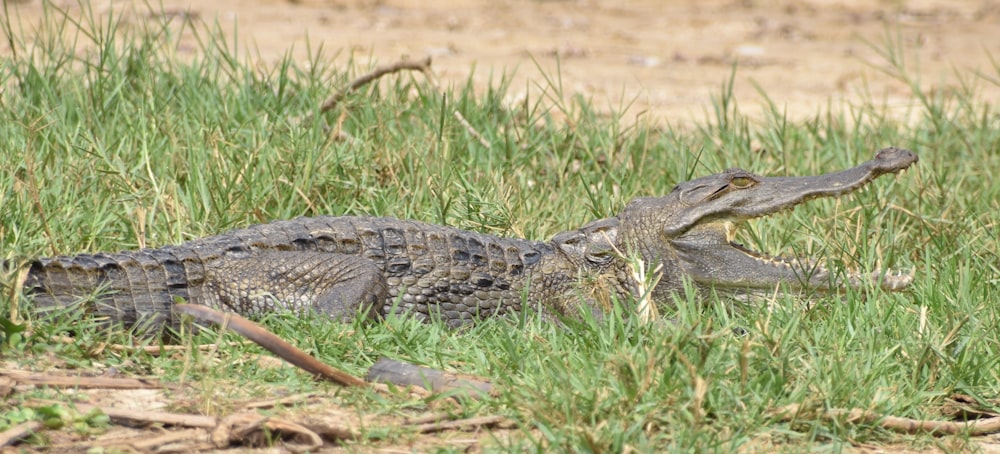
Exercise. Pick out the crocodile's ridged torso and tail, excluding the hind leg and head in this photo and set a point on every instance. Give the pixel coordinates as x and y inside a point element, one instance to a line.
<point>428,269</point>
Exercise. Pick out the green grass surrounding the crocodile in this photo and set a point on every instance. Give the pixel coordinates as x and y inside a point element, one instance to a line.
<point>120,144</point>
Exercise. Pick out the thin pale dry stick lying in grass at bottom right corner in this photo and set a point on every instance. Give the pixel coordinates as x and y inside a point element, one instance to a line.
<point>899,424</point>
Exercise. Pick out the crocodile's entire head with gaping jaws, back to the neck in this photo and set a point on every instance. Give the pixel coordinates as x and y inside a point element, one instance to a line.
<point>690,231</point>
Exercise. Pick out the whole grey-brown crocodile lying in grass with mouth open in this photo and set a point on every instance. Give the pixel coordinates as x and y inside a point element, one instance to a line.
<point>344,267</point>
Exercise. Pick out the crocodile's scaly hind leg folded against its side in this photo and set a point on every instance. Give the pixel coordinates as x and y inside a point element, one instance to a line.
<point>257,282</point>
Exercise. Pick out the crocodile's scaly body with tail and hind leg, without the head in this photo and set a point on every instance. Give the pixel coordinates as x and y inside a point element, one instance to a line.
<point>334,265</point>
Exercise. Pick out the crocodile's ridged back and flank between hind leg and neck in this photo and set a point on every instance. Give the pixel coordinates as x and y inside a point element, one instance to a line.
<point>428,268</point>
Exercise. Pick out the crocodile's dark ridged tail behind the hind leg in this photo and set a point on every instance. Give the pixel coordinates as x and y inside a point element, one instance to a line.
<point>135,289</point>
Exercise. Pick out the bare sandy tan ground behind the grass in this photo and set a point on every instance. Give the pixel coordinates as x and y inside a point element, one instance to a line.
<point>663,60</point>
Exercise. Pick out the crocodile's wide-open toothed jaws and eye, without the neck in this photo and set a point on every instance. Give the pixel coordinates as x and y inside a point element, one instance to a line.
<point>703,235</point>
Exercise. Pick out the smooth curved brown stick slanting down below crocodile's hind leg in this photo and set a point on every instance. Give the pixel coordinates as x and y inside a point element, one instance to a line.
<point>271,343</point>
